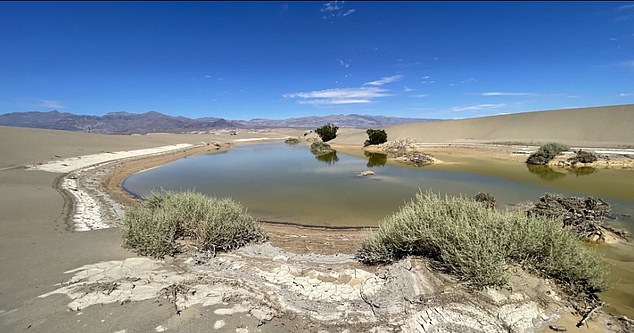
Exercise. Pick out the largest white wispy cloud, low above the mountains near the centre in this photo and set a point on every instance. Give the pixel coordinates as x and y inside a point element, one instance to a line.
<point>339,96</point>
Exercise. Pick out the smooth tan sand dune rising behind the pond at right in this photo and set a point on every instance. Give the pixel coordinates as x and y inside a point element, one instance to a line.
<point>610,126</point>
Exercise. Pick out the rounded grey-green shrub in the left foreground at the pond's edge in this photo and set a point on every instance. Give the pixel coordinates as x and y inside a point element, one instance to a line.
<point>154,226</point>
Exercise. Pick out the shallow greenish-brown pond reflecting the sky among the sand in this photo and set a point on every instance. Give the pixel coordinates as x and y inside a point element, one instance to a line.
<point>281,182</point>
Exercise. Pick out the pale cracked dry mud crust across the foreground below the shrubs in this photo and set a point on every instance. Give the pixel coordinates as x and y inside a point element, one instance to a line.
<point>322,290</point>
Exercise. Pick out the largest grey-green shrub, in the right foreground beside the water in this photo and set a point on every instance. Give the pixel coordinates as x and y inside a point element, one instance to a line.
<point>479,244</point>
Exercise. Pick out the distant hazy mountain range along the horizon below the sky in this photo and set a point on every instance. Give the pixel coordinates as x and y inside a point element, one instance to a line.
<point>154,122</point>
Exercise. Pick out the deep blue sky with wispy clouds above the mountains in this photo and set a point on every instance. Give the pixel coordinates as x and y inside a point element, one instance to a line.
<point>243,60</point>
